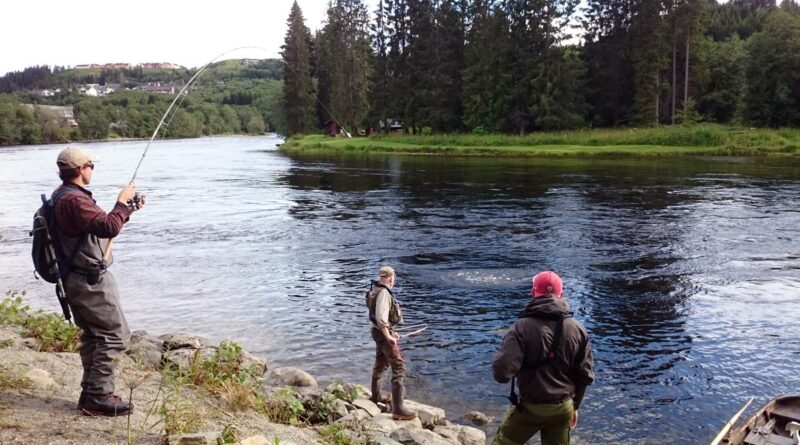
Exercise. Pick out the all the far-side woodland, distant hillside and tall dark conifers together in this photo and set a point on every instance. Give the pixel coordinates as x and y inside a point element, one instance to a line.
<point>455,66</point>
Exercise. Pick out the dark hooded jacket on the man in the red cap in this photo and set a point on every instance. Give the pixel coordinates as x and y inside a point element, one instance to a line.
<point>527,342</point>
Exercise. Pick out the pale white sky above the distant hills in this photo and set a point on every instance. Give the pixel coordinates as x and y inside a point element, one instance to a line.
<point>189,33</point>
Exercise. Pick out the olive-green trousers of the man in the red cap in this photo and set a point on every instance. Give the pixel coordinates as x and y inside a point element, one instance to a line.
<point>552,421</point>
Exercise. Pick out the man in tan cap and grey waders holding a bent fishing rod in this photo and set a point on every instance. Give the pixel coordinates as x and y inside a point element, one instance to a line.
<point>81,235</point>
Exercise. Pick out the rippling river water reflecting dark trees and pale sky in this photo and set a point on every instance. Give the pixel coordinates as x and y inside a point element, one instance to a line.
<point>684,271</point>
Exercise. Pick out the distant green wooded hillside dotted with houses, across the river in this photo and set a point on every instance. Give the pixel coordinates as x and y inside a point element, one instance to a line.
<point>228,99</point>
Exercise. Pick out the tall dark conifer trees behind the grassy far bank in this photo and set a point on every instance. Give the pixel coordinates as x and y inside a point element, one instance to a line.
<point>517,66</point>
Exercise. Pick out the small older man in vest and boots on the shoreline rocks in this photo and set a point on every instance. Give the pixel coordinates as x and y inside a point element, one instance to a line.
<point>385,314</point>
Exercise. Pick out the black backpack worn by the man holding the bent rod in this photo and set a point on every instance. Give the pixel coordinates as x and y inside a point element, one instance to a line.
<point>49,261</point>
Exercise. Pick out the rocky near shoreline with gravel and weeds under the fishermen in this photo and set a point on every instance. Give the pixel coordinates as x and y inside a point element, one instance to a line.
<point>39,391</point>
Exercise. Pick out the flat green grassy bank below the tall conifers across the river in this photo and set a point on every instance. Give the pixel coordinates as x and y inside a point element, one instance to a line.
<point>706,139</point>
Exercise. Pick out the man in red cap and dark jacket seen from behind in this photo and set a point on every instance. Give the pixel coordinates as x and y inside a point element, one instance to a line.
<point>550,354</point>
